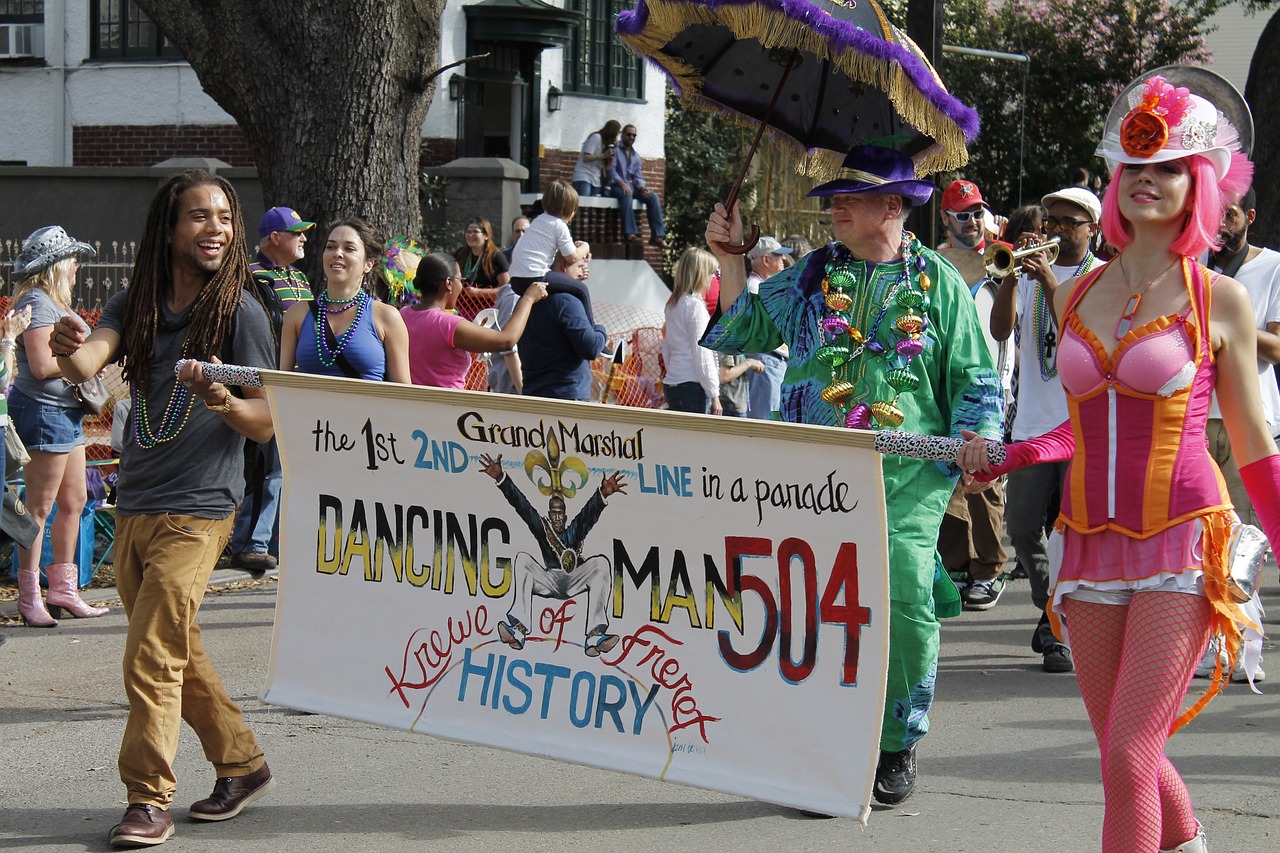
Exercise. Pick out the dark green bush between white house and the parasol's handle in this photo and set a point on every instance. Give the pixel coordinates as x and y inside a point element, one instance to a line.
<point>705,157</point>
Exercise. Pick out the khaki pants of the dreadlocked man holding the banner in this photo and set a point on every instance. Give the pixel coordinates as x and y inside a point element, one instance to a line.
<point>163,564</point>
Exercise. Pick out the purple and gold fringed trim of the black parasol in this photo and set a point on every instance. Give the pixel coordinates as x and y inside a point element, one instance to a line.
<point>900,71</point>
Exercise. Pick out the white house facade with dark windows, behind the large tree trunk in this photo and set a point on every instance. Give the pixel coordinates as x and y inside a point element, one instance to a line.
<point>93,84</point>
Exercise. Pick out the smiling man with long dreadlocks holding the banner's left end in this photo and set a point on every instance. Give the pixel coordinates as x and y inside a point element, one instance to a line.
<point>181,481</point>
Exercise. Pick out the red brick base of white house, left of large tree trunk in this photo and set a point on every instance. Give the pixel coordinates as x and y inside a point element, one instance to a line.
<point>144,145</point>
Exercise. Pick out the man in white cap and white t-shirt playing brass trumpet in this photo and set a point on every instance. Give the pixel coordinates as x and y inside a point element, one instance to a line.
<point>1026,298</point>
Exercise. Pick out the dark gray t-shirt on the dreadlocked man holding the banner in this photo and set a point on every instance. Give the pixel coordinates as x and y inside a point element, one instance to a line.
<point>202,471</point>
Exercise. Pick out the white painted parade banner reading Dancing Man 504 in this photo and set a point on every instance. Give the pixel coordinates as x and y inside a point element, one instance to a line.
<point>689,599</point>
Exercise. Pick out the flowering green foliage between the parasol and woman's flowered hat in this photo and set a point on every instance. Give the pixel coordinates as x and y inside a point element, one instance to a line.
<point>1082,54</point>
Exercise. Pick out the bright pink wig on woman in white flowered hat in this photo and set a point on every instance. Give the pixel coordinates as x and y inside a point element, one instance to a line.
<point>1209,198</point>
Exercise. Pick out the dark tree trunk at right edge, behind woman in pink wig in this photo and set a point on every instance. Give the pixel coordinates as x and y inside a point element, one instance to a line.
<point>1264,98</point>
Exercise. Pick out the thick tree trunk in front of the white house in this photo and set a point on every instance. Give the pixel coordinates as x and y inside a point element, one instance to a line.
<point>330,94</point>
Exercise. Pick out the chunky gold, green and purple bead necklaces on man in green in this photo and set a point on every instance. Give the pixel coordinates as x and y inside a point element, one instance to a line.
<point>848,345</point>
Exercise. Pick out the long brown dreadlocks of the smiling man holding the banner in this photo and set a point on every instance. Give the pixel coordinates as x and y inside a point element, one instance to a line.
<point>213,316</point>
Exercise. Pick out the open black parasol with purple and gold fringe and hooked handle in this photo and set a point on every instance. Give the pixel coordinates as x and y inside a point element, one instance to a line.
<point>822,76</point>
